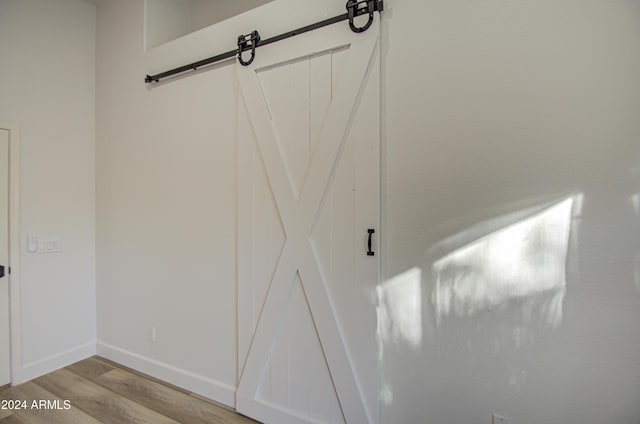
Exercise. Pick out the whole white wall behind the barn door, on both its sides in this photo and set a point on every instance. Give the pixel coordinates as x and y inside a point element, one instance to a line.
<point>493,112</point>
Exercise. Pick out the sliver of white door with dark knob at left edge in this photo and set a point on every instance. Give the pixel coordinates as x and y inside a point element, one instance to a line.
<point>5,363</point>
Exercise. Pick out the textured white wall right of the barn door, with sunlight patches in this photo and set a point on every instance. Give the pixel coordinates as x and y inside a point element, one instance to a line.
<point>493,108</point>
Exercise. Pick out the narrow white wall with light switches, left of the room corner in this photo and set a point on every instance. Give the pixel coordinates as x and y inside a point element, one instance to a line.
<point>47,57</point>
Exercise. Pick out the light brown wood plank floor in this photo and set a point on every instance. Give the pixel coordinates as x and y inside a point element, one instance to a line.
<point>97,391</point>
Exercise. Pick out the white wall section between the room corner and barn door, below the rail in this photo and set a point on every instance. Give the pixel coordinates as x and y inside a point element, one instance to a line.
<point>166,213</point>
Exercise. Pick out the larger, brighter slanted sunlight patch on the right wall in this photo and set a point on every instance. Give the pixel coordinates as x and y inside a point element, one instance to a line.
<point>518,262</point>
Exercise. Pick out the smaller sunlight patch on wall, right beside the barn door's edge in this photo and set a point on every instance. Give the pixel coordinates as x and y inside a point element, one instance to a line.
<point>400,310</point>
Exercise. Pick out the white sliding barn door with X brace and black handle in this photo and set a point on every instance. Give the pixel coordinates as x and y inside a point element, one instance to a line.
<point>309,191</point>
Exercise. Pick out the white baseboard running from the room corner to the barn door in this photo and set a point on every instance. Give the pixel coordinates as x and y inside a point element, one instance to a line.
<point>203,386</point>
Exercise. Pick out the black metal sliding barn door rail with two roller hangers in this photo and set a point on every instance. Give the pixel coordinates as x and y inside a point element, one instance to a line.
<point>250,42</point>
